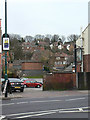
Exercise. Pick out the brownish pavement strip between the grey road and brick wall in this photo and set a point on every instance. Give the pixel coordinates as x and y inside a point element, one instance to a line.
<point>38,93</point>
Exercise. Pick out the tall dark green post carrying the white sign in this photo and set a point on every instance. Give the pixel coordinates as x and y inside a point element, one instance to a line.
<point>6,77</point>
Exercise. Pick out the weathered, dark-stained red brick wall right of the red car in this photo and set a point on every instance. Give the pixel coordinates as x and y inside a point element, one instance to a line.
<point>58,81</point>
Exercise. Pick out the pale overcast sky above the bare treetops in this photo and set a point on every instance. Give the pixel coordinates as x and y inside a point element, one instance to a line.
<point>31,17</point>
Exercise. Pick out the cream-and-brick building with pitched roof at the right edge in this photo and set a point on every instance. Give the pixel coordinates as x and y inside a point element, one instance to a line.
<point>83,51</point>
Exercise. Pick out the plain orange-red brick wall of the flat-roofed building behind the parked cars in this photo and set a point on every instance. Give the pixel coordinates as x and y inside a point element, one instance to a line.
<point>32,66</point>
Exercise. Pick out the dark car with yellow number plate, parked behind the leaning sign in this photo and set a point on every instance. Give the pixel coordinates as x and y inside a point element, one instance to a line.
<point>15,83</point>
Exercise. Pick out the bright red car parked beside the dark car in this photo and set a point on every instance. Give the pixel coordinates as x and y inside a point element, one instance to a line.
<point>31,83</point>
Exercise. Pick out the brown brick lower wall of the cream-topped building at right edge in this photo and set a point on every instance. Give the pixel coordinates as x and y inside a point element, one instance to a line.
<point>86,63</point>
